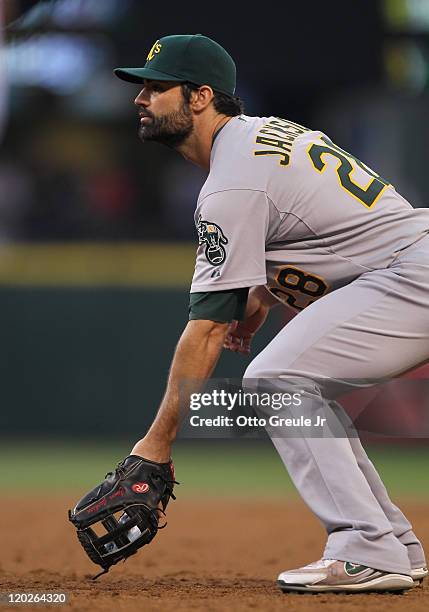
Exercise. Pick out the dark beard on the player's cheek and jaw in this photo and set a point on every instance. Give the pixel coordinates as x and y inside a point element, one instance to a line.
<point>171,129</point>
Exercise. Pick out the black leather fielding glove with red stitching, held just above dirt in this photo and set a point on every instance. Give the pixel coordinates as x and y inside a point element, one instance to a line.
<point>137,492</point>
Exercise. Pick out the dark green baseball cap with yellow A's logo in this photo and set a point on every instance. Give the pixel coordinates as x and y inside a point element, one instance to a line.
<point>186,57</point>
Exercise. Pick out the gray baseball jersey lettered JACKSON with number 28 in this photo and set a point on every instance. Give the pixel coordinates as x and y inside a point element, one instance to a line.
<point>284,206</point>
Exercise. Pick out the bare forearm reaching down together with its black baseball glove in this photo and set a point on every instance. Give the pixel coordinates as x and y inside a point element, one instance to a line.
<point>142,484</point>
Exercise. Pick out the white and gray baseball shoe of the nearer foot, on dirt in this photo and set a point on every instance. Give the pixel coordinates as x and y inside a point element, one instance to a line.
<point>330,575</point>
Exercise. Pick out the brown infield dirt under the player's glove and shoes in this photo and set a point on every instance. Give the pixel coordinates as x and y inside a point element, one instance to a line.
<point>214,555</point>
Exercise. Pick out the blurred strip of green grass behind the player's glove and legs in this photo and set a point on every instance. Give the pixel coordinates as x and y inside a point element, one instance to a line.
<point>212,468</point>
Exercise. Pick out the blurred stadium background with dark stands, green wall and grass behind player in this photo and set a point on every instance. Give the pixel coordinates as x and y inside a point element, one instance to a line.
<point>97,238</point>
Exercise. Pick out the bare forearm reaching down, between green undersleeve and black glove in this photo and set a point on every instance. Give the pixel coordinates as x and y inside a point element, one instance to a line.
<point>196,356</point>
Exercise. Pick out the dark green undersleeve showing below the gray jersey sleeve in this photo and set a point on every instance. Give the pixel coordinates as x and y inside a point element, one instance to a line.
<point>219,306</point>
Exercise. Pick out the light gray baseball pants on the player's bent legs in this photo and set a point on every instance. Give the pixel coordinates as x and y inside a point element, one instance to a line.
<point>374,328</point>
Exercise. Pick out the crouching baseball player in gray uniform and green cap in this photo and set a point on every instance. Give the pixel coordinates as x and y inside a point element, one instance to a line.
<point>287,215</point>
